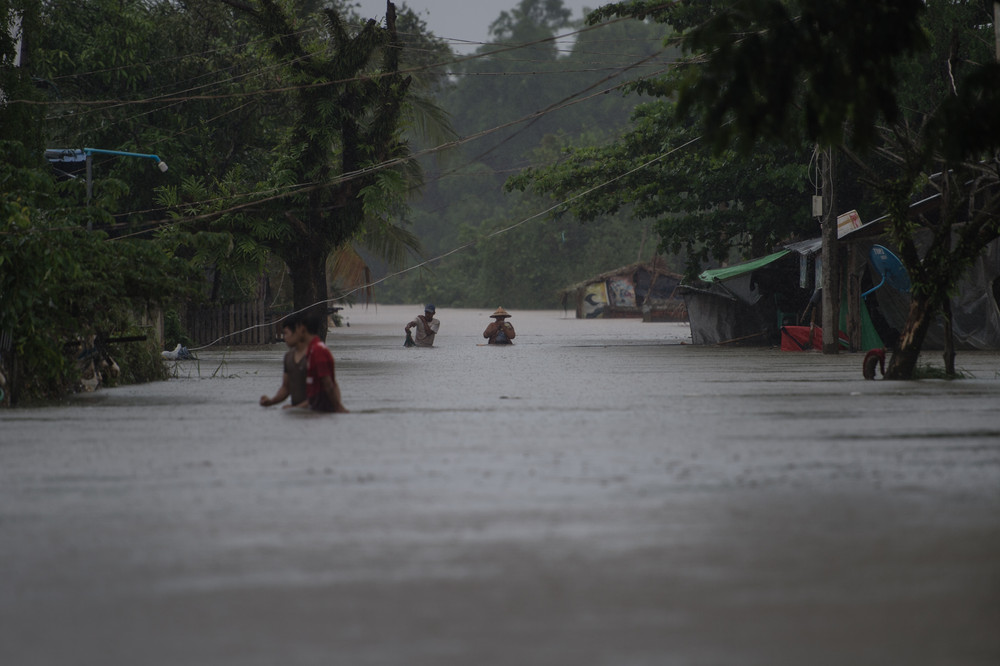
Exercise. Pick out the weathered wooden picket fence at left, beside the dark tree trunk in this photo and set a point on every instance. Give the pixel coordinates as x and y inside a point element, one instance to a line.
<point>236,324</point>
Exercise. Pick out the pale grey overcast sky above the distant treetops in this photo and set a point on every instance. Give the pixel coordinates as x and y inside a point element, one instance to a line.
<point>463,22</point>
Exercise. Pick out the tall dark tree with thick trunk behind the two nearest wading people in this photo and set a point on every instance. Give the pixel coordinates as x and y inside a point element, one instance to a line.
<point>343,119</point>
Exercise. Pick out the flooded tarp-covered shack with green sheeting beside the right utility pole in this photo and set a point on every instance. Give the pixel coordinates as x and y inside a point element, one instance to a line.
<point>766,301</point>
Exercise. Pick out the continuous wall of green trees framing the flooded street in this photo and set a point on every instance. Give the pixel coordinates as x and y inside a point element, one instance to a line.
<point>296,129</point>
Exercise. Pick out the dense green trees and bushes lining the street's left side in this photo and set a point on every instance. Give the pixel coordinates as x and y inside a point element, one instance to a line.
<point>280,135</point>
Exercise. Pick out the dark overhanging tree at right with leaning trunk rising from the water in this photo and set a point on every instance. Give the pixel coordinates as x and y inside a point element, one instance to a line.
<point>903,87</point>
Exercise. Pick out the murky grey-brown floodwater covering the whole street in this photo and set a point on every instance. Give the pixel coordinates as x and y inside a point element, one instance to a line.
<point>596,494</point>
